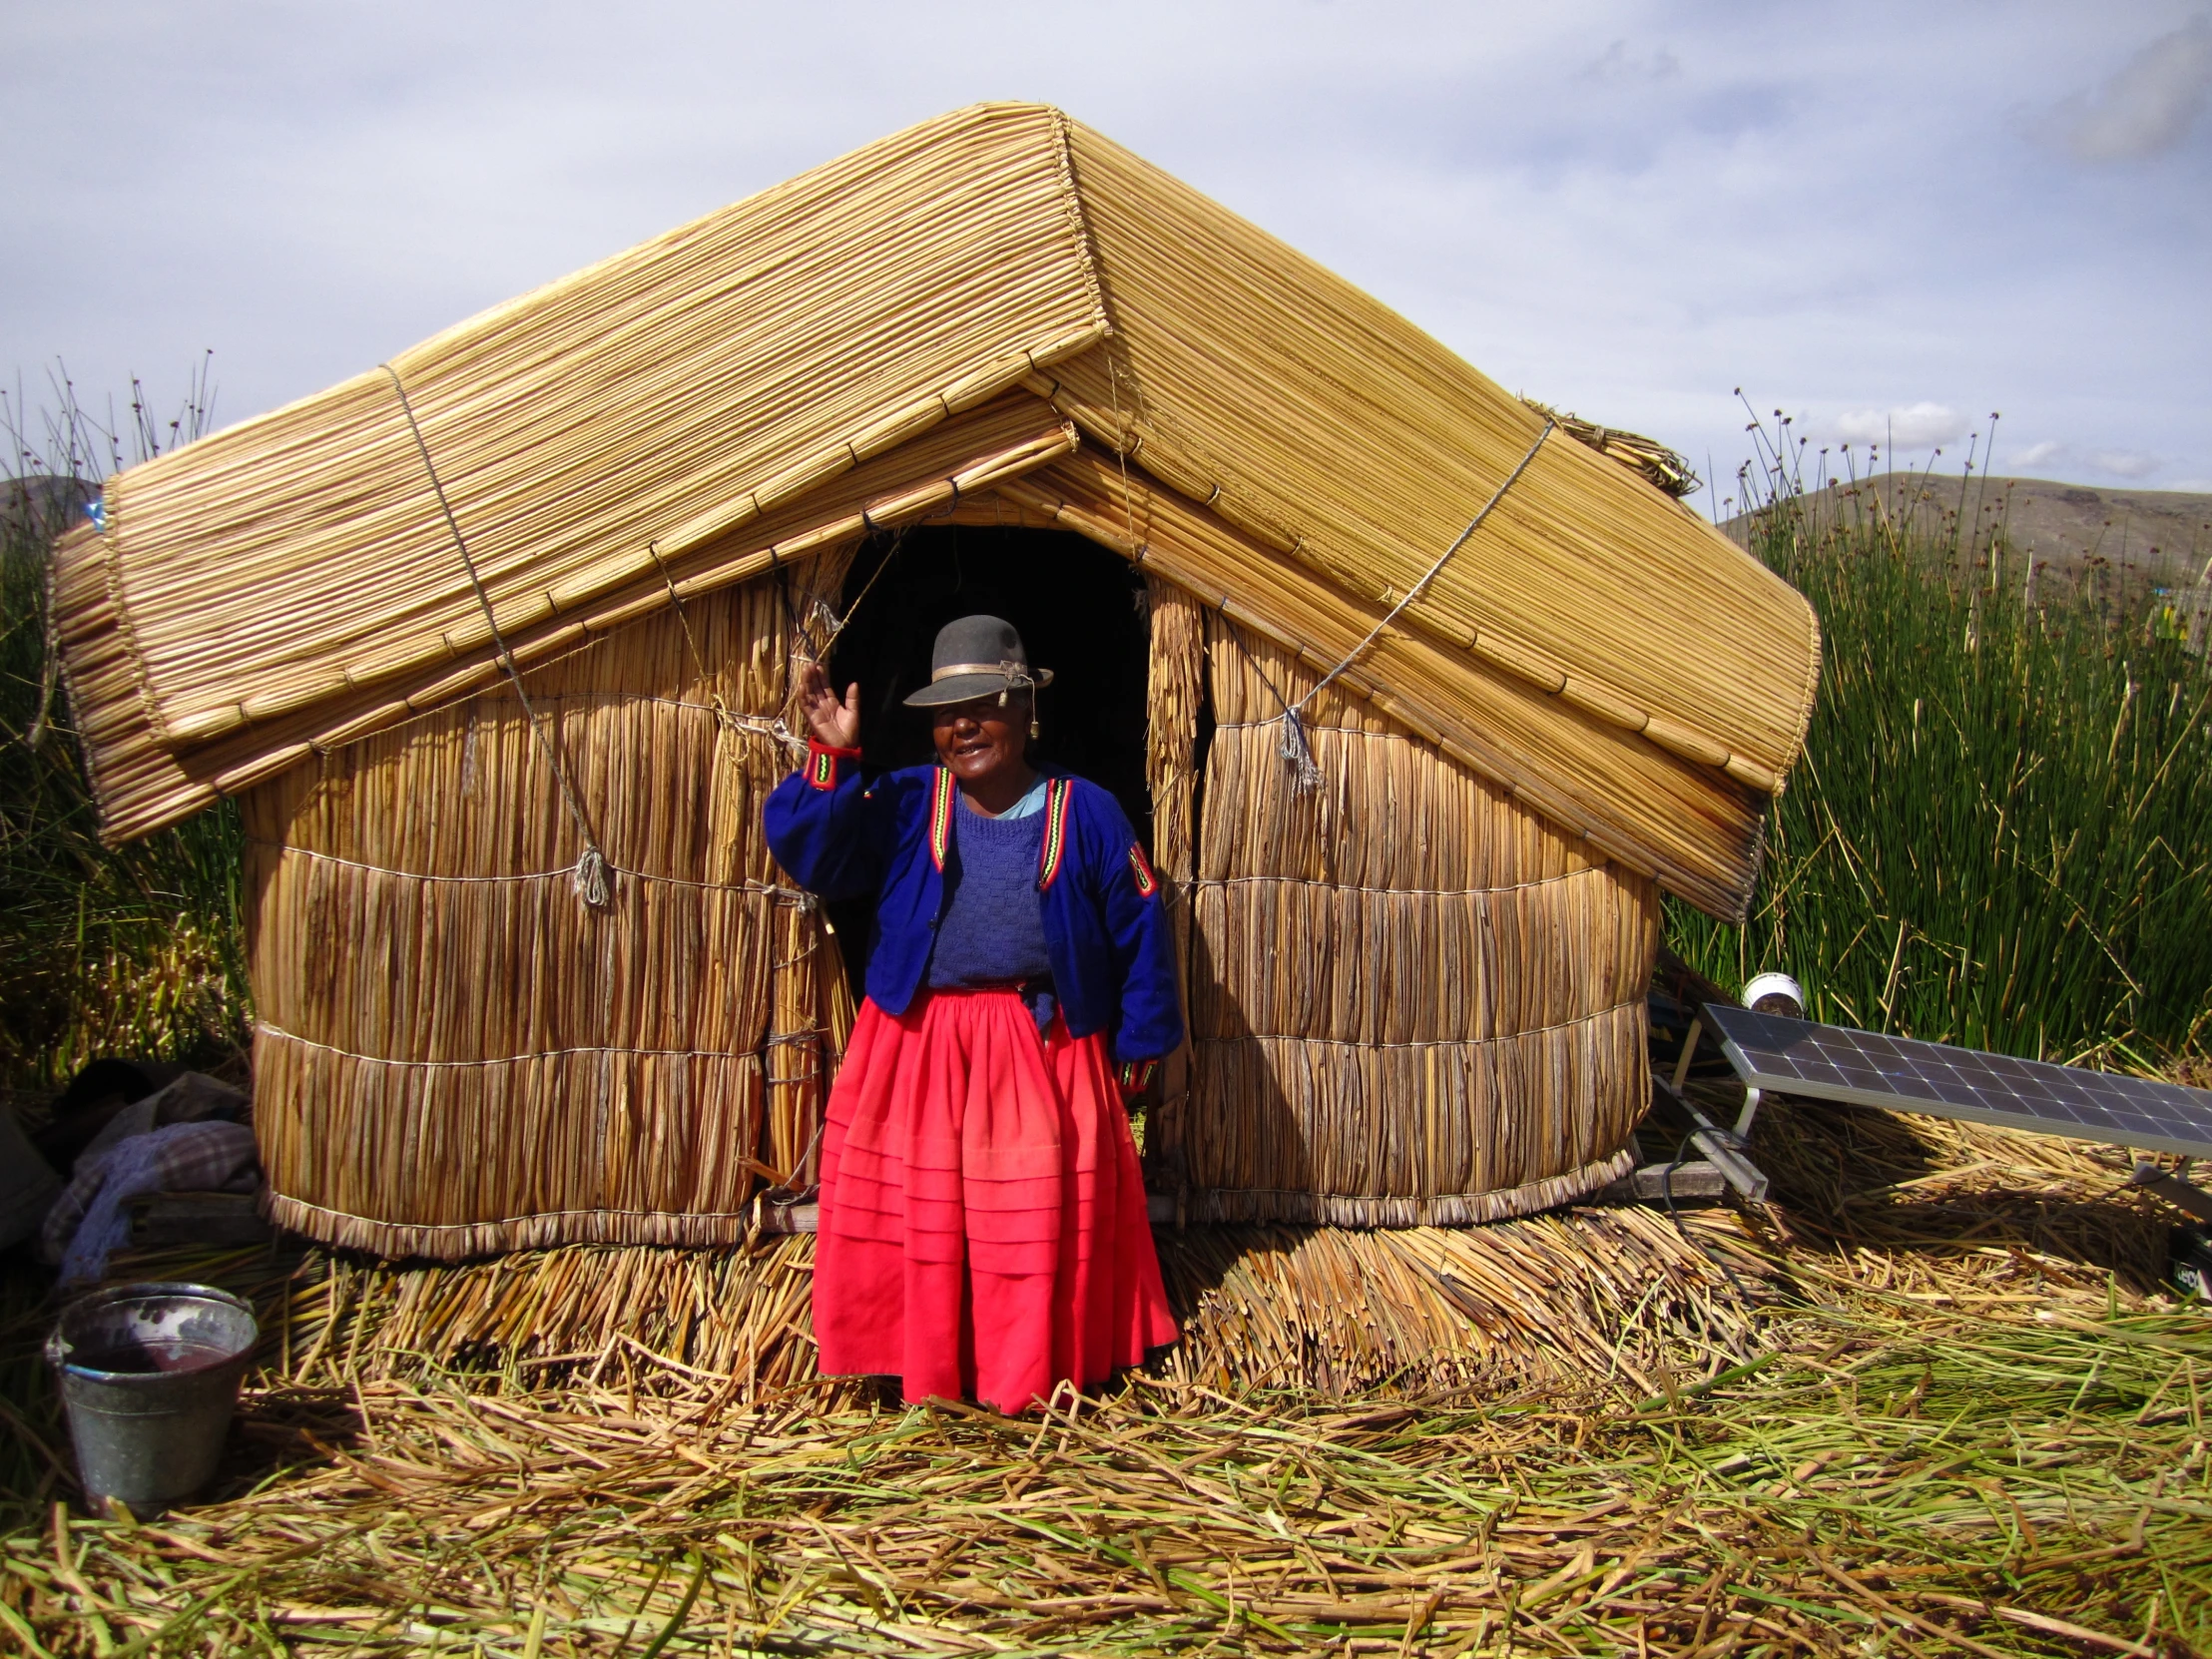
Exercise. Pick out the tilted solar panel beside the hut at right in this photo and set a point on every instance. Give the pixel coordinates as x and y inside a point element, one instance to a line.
<point>1870,1070</point>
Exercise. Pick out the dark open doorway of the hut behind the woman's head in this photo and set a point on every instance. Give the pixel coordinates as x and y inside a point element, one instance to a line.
<point>1081,612</point>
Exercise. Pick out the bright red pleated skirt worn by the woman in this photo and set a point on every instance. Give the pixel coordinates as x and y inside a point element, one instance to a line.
<point>983,1224</point>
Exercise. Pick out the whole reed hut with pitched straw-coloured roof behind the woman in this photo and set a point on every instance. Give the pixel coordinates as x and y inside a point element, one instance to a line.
<point>1423,709</point>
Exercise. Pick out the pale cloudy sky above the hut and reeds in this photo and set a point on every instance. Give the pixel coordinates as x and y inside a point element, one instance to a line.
<point>1888,220</point>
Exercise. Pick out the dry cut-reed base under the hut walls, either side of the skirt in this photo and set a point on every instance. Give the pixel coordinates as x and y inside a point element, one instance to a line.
<point>1596,1300</point>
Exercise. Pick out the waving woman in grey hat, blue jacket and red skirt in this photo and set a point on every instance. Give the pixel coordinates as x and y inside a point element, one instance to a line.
<point>983,1222</point>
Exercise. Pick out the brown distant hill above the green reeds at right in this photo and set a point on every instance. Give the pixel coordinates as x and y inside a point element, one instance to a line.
<point>2153,536</point>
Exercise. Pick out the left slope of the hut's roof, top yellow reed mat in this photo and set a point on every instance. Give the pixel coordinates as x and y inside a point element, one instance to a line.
<point>662,397</point>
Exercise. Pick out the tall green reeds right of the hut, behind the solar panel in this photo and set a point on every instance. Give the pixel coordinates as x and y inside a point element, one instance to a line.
<point>2001,833</point>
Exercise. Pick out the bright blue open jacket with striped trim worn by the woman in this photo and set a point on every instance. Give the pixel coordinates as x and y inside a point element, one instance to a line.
<point>890,837</point>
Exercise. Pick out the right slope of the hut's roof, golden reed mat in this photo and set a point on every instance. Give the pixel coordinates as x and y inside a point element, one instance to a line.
<point>1333,430</point>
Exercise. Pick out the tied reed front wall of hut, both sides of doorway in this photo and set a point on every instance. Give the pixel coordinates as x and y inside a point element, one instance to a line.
<point>1412,999</point>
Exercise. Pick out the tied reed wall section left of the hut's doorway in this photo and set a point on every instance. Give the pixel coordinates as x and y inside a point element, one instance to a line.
<point>455,1052</point>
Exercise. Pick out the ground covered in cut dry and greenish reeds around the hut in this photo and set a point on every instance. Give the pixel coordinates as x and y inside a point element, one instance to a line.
<point>1937,1408</point>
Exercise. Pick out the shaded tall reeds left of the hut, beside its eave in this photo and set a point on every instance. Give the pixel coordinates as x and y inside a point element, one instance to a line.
<point>101,952</point>
